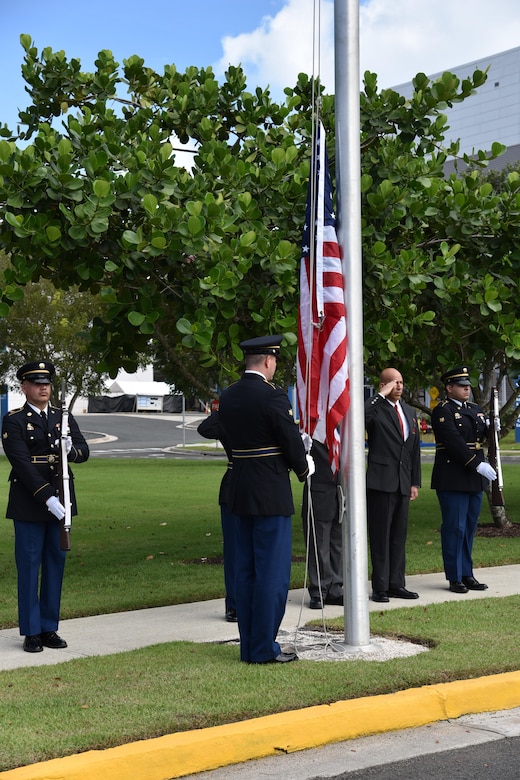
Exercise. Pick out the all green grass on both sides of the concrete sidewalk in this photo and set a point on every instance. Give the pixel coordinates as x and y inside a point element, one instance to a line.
<point>148,534</point>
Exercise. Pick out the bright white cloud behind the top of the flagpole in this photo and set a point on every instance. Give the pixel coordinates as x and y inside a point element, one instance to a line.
<point>397,40</point>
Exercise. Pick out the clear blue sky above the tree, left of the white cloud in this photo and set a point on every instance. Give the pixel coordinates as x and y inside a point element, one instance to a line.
<point>161,31</point>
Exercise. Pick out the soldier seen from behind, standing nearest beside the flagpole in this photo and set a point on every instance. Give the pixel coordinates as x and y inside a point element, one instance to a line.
<point>265,444</point>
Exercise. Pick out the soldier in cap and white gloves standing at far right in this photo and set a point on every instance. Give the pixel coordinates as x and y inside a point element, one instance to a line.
<point>460,473</point>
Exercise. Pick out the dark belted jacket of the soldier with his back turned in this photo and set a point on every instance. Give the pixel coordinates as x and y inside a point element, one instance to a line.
<point>265,443</point>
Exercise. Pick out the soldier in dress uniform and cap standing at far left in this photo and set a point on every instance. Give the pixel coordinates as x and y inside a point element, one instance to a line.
<point>32,445</point>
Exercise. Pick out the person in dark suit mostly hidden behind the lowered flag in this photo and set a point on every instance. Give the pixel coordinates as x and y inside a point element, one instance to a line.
<point>322,532</point>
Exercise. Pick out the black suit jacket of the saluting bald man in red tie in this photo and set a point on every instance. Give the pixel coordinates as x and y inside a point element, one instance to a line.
<point>394,465</point>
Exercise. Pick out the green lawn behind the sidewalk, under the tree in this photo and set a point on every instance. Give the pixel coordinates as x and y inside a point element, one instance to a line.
<point>148,534</point>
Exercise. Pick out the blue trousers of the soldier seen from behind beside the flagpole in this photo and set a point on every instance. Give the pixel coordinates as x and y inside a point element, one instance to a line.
<point>262,577</point>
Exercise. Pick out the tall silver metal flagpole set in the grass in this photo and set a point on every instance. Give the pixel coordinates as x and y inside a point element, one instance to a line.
<point>348,188</point>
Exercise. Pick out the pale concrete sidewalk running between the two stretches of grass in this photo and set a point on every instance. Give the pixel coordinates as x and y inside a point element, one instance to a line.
<point>204,621</point>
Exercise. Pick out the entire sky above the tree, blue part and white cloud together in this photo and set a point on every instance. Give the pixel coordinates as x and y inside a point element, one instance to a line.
<point>272,39</point>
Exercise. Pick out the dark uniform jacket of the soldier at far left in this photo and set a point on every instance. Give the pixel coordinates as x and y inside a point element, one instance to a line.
<point>23,436</point>
